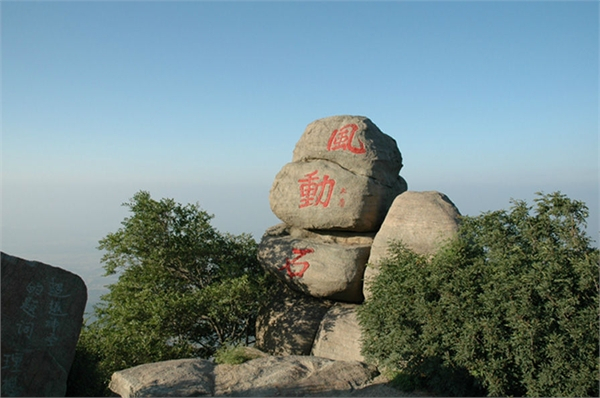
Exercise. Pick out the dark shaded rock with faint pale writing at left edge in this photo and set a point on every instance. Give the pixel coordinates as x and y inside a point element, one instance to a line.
<point>42,314</point>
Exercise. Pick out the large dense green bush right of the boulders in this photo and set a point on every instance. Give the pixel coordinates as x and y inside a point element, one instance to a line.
<point>509,307</point>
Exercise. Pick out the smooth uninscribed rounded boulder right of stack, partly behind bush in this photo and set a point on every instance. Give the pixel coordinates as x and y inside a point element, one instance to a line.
<point>423,221</point>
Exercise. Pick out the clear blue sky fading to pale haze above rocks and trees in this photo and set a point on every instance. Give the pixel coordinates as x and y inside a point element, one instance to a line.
<point>204,102</point>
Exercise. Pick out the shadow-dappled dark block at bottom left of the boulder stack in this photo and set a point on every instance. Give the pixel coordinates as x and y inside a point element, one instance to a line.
<point>289,323</point>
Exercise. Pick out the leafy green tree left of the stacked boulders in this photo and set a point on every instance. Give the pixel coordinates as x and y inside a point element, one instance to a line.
<point>184,289</point>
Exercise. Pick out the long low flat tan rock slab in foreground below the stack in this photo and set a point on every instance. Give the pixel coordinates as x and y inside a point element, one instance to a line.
<point>262,377</point>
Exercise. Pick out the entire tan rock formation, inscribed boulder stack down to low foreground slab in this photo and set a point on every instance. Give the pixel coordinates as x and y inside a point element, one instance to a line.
<point>334,199</point>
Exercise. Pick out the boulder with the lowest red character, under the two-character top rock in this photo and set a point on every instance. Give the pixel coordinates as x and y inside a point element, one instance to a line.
<point>323,270</point>
